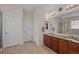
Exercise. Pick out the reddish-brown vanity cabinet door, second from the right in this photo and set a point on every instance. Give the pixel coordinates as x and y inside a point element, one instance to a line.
<point>62,47</point>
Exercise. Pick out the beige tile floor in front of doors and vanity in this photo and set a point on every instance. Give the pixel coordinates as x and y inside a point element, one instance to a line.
<point>28,48</point>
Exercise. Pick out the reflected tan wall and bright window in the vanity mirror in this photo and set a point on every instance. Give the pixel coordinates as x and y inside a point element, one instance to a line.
<point>68,26</point>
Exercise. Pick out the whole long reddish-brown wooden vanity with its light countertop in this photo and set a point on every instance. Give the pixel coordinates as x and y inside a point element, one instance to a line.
<point>61,44</point>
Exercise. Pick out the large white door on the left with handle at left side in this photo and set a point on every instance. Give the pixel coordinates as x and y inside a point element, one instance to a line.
<point>11,30</point>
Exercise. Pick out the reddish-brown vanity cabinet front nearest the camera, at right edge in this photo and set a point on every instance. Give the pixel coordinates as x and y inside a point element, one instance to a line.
<point>73,48</point>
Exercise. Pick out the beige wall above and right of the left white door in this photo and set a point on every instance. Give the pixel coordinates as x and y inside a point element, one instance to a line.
<point>14,10</point>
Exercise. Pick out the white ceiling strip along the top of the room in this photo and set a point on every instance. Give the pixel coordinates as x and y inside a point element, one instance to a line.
<point>31,7</point>
